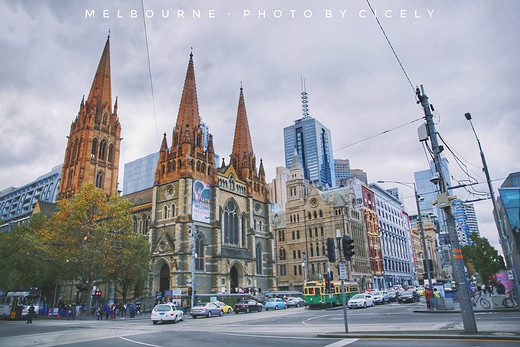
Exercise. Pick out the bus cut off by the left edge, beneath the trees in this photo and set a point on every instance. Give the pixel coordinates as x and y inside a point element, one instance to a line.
<point>15,304</point>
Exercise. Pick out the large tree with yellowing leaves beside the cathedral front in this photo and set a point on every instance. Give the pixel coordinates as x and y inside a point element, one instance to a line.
<point>97,239</point>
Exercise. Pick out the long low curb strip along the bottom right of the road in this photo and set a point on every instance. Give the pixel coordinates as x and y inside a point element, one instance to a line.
<point>426,335</point>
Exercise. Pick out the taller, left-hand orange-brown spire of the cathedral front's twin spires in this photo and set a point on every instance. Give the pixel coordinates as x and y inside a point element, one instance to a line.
<point>189,107</point>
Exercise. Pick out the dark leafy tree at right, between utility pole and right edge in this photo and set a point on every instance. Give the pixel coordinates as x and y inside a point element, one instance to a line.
<point>482,257</point>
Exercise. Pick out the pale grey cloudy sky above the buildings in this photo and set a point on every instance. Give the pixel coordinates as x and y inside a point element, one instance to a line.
<point>465,53</point>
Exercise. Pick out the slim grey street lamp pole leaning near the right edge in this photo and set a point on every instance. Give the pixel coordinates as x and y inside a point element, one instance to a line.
<point>506,247</point>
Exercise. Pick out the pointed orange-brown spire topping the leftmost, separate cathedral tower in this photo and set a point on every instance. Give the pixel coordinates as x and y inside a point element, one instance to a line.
<point>101,90</point>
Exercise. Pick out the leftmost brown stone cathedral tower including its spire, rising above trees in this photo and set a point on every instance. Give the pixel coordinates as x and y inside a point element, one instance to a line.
<point>92,154</point>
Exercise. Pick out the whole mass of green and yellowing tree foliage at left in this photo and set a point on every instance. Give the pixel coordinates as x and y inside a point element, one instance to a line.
<point>89,240</point>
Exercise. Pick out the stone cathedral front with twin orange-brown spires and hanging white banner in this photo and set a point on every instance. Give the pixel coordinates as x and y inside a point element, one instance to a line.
<point>223,214</point>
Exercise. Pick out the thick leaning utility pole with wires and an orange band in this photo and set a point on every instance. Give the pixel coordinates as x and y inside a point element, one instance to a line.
<point>444,202</point>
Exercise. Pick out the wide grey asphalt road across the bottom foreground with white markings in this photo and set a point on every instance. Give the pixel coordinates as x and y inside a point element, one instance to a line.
<point>291,327</point>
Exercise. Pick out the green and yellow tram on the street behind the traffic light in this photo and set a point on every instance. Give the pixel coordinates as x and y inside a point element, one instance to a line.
<point>316,295</point>
